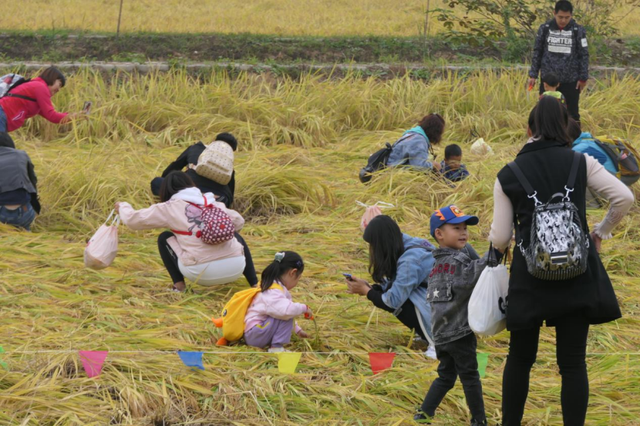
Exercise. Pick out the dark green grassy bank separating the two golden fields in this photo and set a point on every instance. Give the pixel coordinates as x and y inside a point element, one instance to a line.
<point>46,46</point>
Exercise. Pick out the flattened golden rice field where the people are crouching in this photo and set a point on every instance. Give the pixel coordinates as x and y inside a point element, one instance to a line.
<point>302,145</point>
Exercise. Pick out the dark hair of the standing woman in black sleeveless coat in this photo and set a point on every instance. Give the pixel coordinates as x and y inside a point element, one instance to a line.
<point>551,121</point>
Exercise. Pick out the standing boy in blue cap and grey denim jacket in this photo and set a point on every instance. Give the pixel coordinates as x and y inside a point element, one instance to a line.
<point>452,279</point>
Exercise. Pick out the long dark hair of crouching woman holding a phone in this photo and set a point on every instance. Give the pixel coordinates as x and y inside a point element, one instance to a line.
<point>385,247</point>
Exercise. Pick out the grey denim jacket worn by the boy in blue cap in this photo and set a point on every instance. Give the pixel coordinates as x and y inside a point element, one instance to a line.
<point>451,281</point>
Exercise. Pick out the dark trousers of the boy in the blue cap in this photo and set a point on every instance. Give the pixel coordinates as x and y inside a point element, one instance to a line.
<point>457,358</point>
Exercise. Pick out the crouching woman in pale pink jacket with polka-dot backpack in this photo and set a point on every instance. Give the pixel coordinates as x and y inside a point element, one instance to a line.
<point>183,252</point>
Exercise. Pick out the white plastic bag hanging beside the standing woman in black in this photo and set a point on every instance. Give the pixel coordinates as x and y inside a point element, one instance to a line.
<point>487,314</point>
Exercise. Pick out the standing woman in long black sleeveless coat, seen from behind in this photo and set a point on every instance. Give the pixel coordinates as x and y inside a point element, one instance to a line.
<point>569,305</point>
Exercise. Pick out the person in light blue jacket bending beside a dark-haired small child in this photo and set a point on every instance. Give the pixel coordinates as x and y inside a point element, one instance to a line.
<point>413,148</point>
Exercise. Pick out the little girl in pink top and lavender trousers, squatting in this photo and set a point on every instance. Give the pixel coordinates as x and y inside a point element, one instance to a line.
<point>270,318</point>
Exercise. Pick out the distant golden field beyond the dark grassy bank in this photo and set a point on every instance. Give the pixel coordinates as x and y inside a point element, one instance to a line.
<point>282,17</point>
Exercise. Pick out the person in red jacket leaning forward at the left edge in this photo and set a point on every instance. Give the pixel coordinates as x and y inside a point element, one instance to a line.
<point>33,98</point>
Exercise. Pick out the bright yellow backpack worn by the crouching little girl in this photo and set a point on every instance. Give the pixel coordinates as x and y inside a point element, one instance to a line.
<point>232,319</point>
